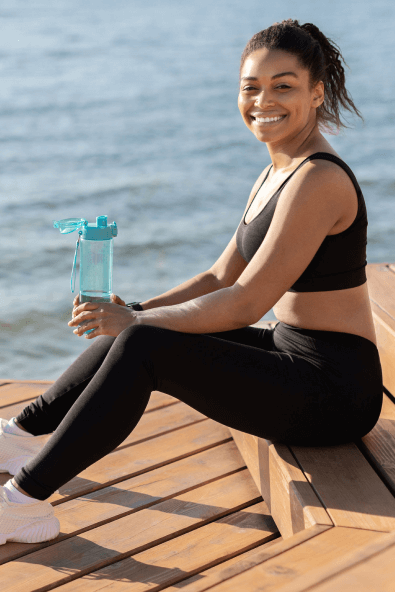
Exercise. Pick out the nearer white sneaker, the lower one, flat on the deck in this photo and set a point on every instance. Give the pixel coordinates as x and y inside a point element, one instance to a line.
<point>26,523</point>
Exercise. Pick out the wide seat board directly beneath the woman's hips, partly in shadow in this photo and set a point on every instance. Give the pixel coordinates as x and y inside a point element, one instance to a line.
<point>350,490</point>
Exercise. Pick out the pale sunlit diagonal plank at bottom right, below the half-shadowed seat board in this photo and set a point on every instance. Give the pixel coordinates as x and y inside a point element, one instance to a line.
<point>275,573</point>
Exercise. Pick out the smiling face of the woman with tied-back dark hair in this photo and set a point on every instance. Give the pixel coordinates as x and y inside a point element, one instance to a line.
<point>273,84</point>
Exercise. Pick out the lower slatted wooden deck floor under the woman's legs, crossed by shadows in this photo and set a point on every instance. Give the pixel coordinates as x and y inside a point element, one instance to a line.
<point>170,506</point>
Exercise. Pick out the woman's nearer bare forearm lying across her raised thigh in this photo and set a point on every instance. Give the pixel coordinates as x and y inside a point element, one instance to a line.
<point>222,310</point>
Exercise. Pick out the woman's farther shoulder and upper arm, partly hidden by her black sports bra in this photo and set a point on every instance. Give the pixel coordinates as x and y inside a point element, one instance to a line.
<point>230,264</point>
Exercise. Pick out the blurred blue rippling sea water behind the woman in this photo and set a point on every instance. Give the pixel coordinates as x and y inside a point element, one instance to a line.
<point>129,109</point>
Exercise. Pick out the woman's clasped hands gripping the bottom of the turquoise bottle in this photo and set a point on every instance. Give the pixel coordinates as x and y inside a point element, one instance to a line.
<point>106,318</point>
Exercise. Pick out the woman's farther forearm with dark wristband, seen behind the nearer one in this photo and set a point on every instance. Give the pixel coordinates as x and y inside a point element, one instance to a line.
<point>203,283</point>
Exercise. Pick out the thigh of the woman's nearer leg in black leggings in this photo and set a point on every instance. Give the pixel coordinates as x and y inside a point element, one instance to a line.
<point>266,393</point>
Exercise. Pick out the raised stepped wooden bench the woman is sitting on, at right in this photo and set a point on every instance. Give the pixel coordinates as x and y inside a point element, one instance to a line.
<point>334,506</point>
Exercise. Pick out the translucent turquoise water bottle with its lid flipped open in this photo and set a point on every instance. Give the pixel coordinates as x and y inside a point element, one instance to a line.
<point>96,256</point>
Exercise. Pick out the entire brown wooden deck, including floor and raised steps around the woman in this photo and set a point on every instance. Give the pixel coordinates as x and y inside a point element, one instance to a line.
<point>174,507</point>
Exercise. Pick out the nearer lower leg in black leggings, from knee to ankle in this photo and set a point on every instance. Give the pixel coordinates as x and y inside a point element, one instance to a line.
<point>105,413</point>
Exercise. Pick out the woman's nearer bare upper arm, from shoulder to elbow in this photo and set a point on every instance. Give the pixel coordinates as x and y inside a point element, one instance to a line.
<point>305,213</point>
